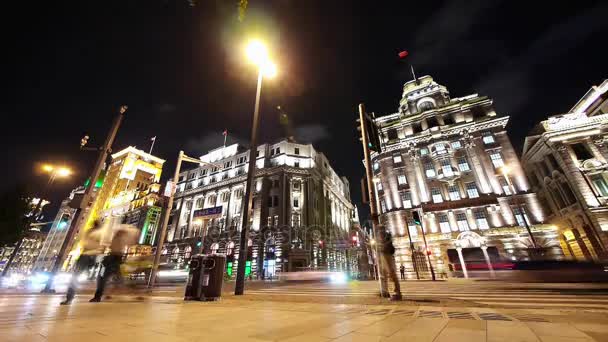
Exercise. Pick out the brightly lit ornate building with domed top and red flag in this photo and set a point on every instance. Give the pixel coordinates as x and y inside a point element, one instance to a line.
<point>445,157</point>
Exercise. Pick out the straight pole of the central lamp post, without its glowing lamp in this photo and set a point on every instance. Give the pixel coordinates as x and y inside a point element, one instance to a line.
<point>239,287</point>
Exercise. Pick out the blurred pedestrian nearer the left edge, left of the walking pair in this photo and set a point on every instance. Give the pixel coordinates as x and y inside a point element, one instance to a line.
<point>91,247</point>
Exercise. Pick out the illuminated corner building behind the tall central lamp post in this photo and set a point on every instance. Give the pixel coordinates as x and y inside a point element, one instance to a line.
<point>302,213</point>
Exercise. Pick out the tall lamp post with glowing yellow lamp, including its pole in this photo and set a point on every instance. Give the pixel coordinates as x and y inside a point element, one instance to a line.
<point>258,55</point>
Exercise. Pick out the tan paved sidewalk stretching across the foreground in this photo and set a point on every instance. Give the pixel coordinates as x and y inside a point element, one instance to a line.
<point>239,319</point>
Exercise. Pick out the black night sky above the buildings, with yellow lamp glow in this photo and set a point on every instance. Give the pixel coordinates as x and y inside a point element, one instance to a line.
<point>181,70</point>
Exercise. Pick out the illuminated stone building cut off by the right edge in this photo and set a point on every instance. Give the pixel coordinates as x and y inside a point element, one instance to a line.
<point>566,159</point>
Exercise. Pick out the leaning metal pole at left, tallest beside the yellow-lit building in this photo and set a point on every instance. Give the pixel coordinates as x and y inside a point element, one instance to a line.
<point>82,214</point>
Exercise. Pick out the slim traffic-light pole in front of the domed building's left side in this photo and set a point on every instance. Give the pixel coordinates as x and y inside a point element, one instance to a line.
<point>372,196</point>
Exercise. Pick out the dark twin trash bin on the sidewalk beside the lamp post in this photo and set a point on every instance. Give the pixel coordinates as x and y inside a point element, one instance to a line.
<point>206,277</point>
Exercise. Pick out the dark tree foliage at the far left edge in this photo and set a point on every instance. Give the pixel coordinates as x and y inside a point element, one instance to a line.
<point>13,208</point>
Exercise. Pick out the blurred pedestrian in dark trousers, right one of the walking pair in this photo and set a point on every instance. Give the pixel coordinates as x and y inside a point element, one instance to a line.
<point>124,236</point>
